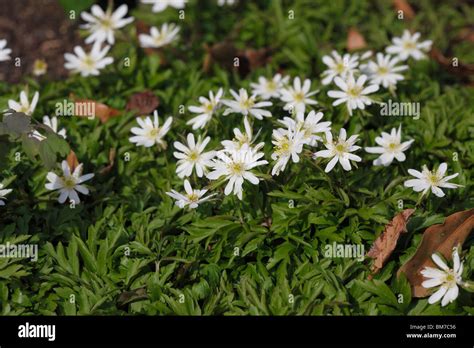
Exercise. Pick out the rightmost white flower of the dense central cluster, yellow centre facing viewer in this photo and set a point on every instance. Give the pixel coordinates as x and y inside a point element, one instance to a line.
<point>340,150</point>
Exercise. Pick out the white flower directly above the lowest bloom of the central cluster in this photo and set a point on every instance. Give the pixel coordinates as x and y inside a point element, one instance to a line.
<point>192,156</point>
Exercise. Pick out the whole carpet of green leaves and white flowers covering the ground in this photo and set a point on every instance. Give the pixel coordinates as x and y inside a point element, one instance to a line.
<point>242,158</point>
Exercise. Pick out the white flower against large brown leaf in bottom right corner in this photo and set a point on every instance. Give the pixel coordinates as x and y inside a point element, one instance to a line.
<point>446,278</point>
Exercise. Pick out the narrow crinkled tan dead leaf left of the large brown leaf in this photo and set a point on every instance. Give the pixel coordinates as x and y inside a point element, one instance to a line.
<point>387,241</point>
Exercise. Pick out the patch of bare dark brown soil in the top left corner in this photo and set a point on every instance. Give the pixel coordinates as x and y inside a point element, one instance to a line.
<point>36,29</point>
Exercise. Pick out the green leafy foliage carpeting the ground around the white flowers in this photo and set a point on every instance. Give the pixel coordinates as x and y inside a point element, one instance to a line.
<point>127,249</point>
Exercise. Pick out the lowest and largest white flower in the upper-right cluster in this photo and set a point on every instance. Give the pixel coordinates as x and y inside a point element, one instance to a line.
<point>352,92</point>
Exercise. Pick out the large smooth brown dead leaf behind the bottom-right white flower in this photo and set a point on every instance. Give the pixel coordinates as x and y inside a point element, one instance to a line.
<point>437,238</point>
